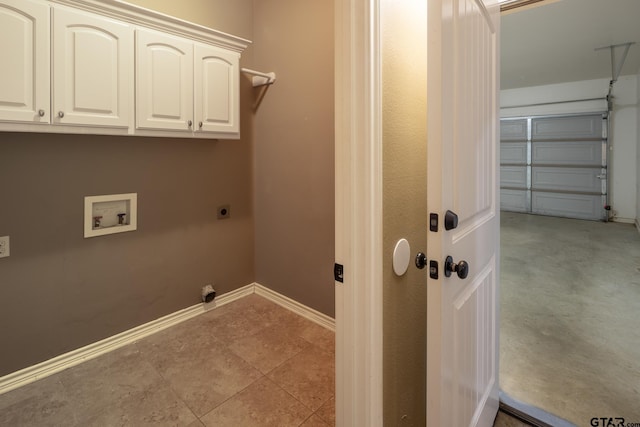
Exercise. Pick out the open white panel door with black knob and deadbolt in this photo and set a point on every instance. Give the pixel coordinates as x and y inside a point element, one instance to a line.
<point>463,158</point>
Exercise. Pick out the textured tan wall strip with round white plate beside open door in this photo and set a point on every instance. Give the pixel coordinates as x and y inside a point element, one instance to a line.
<point>404,209</point>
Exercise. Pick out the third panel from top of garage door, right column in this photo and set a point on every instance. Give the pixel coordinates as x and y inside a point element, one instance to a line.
<point>579,180</point>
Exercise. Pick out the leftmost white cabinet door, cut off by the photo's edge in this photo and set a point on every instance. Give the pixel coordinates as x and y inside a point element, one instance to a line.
<point>25,70</point>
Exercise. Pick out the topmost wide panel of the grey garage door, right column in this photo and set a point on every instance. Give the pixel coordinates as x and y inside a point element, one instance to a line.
<point>572,127</point>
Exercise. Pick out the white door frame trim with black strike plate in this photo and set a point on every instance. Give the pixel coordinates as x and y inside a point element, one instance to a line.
<point>358,213</point>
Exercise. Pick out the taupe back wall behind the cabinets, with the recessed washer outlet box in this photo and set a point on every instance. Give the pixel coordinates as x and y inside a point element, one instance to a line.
<point>59,291</point>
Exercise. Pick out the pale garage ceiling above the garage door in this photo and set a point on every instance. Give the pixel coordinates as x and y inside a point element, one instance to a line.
<point>555,43</point>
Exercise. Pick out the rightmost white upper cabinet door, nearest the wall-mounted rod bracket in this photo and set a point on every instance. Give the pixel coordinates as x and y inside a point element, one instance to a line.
<point>216,90</point>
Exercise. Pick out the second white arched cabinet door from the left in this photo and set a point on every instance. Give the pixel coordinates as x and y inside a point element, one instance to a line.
<point>92,69</point>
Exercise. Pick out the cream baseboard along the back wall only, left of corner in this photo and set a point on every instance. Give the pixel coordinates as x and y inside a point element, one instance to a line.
<point>91,351</point>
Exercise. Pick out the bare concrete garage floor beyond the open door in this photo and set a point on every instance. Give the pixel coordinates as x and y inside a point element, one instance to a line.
<point>570,316</point>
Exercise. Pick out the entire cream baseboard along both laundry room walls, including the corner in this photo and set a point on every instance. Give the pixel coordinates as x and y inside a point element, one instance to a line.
<point>75,357</point>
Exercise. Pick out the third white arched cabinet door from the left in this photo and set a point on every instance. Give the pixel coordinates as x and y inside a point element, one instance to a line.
<point>164,81</point>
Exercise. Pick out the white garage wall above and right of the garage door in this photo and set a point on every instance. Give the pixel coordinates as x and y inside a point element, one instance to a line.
<point>623,161</point>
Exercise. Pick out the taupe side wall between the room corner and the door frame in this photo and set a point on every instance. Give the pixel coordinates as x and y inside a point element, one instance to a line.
<point>294,149</point>
